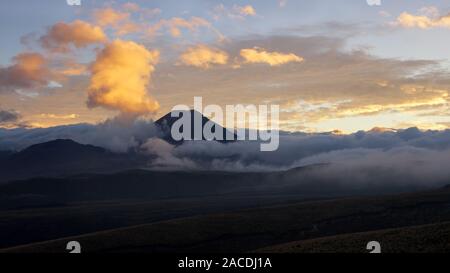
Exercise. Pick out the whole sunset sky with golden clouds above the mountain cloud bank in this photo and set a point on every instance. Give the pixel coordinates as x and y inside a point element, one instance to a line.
<point>330,65</point>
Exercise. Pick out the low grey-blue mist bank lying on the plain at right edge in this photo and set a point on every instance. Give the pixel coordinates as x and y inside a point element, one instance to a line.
<point>397,167</point>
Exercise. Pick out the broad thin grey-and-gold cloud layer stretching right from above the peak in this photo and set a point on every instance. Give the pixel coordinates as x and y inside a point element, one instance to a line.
<point>334,88</point>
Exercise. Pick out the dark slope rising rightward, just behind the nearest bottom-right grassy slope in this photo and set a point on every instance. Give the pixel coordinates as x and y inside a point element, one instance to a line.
<point>248,230</point>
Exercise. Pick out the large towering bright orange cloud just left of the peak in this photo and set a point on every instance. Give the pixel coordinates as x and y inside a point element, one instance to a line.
<point>120,78</point>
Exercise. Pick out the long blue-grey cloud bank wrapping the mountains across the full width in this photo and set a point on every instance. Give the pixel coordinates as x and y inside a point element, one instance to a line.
<point>379,159</point>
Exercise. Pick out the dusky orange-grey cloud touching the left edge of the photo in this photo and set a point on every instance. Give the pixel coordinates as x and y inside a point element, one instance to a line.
<point>29,70</point>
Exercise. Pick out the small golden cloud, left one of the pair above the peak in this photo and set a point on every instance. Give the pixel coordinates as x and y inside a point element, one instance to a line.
<point>203,56</point>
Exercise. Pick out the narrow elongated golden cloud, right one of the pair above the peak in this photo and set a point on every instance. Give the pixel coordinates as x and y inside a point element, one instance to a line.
<point>260,55</point>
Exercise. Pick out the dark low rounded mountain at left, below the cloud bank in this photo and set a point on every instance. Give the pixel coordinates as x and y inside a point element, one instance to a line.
<point>63,157</point>
